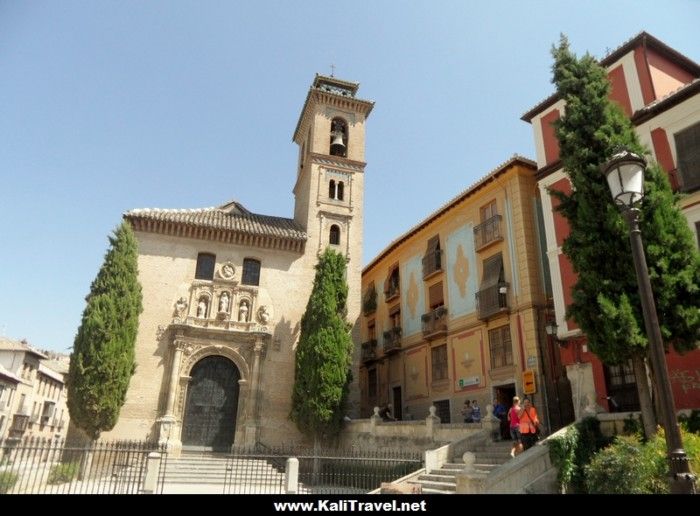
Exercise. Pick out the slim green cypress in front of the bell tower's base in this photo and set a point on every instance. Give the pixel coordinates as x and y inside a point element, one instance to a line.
<point>323,355</point>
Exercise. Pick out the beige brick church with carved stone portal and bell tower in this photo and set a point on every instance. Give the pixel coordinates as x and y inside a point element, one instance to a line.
<point>224,290</point>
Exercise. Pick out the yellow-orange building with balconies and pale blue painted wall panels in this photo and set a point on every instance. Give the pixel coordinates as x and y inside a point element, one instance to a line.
<point>453,308</point>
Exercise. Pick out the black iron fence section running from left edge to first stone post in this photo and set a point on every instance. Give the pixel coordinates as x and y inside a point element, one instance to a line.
<point>50,466</point>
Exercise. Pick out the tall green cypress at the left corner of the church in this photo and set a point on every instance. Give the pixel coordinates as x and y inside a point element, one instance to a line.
<point>102,361</point>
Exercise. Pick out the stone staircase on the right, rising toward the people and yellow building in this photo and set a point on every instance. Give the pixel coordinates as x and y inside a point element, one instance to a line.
<point>443,481</point>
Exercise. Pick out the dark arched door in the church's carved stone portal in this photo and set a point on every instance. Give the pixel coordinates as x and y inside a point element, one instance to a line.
<point>212,403</point>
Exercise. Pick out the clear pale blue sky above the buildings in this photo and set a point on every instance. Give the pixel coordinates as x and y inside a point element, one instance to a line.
<point>107,106</point>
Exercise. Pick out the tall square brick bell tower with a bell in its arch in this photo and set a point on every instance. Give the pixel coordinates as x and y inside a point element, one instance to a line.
<point>329,190</point>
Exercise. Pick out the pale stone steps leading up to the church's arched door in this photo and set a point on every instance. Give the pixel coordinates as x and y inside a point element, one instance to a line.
<point>218,473</point>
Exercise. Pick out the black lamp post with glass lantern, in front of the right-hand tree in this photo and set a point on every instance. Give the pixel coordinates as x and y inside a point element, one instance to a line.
<point>625,175</point>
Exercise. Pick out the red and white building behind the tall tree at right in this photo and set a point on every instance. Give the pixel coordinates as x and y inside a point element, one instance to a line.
<point>659,89</point>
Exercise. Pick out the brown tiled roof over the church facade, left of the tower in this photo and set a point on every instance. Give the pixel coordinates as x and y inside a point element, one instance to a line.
<point>231,216</point>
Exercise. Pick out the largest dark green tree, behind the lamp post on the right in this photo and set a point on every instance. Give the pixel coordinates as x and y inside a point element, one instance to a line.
<point>606,303</point>
